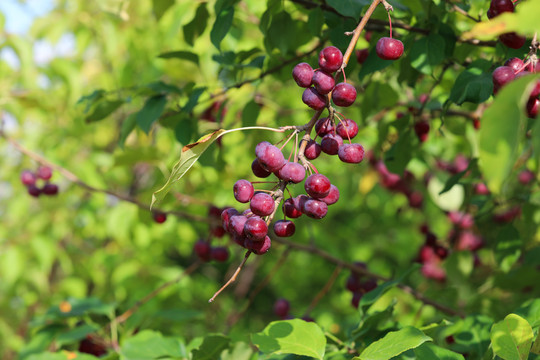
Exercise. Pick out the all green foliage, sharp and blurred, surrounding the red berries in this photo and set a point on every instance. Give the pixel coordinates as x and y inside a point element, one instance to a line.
<point>118,108</point>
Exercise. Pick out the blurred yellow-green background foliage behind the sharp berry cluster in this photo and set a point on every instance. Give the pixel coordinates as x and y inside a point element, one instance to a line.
<point>112,89</point>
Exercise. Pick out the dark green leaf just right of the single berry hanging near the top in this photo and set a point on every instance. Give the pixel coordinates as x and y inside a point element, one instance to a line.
<point>427,53</point>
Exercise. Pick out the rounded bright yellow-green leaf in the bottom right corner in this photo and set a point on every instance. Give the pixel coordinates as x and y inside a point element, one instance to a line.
<point>512,338</point>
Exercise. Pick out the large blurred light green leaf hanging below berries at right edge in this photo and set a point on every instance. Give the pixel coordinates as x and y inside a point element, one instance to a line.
<point>503,127</point>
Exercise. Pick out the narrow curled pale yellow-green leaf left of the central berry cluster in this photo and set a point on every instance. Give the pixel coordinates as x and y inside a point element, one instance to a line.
<point>190,154</point>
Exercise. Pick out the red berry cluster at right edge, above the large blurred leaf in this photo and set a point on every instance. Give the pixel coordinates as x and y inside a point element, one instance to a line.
<point>515,68</point>
